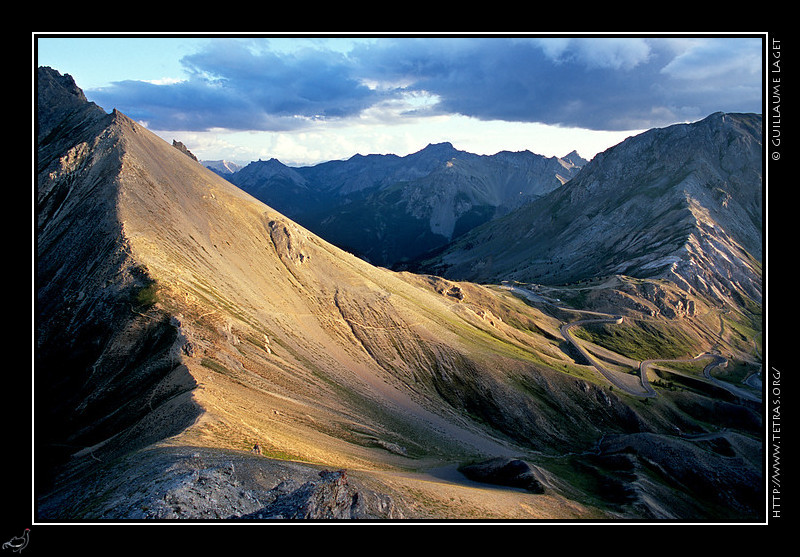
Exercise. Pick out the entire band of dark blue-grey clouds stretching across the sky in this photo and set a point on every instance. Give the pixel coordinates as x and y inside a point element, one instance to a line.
<point>596,83</point>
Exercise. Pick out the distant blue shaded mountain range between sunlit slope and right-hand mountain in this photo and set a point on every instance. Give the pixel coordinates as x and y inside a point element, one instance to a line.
<point>390,210</point>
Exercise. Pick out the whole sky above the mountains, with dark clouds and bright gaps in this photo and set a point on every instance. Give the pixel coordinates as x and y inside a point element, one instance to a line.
<point>308,99</point>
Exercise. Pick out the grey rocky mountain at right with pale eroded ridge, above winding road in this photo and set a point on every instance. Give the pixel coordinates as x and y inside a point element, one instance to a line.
<point>682,202</point>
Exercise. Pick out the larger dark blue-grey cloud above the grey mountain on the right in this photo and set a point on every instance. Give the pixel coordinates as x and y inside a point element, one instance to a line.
<point>595,83</point>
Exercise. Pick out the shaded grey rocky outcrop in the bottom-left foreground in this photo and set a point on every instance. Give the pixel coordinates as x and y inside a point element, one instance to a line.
<point>202,484</point>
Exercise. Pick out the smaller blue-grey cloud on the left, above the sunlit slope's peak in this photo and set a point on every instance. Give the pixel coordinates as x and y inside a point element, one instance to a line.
<point>234,87</point>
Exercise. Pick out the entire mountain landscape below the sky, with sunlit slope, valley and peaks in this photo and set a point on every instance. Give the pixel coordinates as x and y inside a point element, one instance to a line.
<point>569,340</point>
